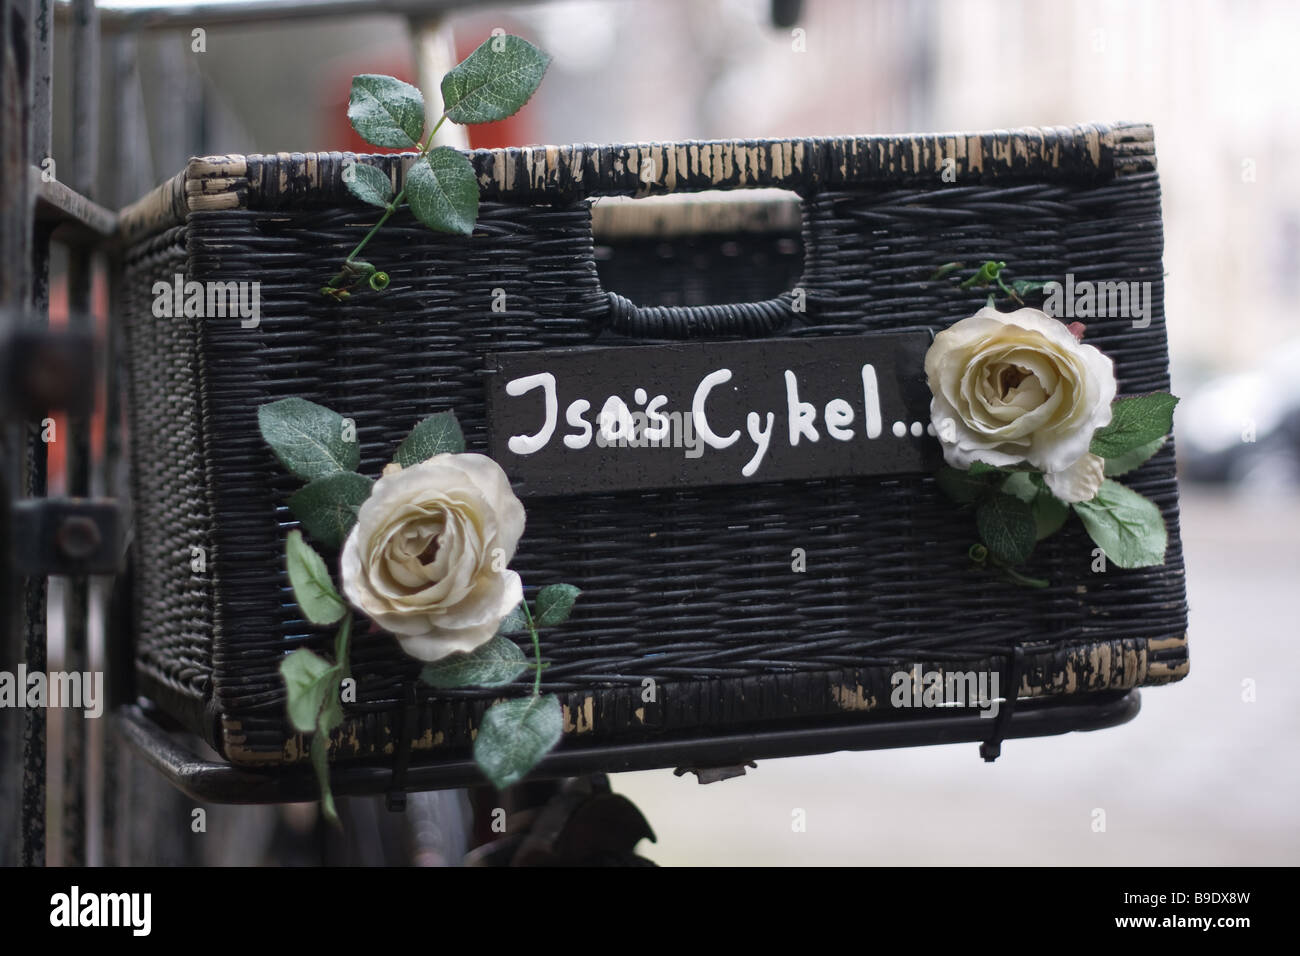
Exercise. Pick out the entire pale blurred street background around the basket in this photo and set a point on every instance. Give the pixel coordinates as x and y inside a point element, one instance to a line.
<point>1208,772</point>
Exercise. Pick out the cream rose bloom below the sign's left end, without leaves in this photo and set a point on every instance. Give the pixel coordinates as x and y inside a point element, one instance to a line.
<point>427,559</point>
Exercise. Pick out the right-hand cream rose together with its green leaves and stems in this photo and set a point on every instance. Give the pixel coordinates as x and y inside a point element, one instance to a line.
<point>1033,431</point>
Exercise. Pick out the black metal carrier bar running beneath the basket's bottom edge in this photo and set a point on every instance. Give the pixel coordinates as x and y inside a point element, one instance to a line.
<point>215,782</point>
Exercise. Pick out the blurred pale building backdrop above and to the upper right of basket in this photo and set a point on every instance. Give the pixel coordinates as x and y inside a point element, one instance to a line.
<point>1215,77</point>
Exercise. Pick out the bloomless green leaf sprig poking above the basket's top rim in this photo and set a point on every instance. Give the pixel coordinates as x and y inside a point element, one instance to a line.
<point>441,188</point>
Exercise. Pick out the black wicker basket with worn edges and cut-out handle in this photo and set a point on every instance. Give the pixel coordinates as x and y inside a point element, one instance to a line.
<point>692,589</point>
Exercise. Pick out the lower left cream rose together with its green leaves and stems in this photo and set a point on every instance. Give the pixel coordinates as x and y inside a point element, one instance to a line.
<point>426,553</point>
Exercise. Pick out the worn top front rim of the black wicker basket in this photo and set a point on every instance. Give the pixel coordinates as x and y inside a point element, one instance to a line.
<point>551,174</point>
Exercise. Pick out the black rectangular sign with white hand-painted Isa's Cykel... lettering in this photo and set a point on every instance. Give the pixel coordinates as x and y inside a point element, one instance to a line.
<point>691,414</point>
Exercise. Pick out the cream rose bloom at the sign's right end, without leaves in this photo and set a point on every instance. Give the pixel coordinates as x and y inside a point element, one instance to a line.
<point>1017,387</point>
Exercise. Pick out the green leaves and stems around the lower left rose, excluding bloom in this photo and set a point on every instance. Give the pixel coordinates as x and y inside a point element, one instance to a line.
<point>319,447</point>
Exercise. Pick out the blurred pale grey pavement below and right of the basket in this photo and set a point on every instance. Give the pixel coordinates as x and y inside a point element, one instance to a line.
<point>1201,777</point>
